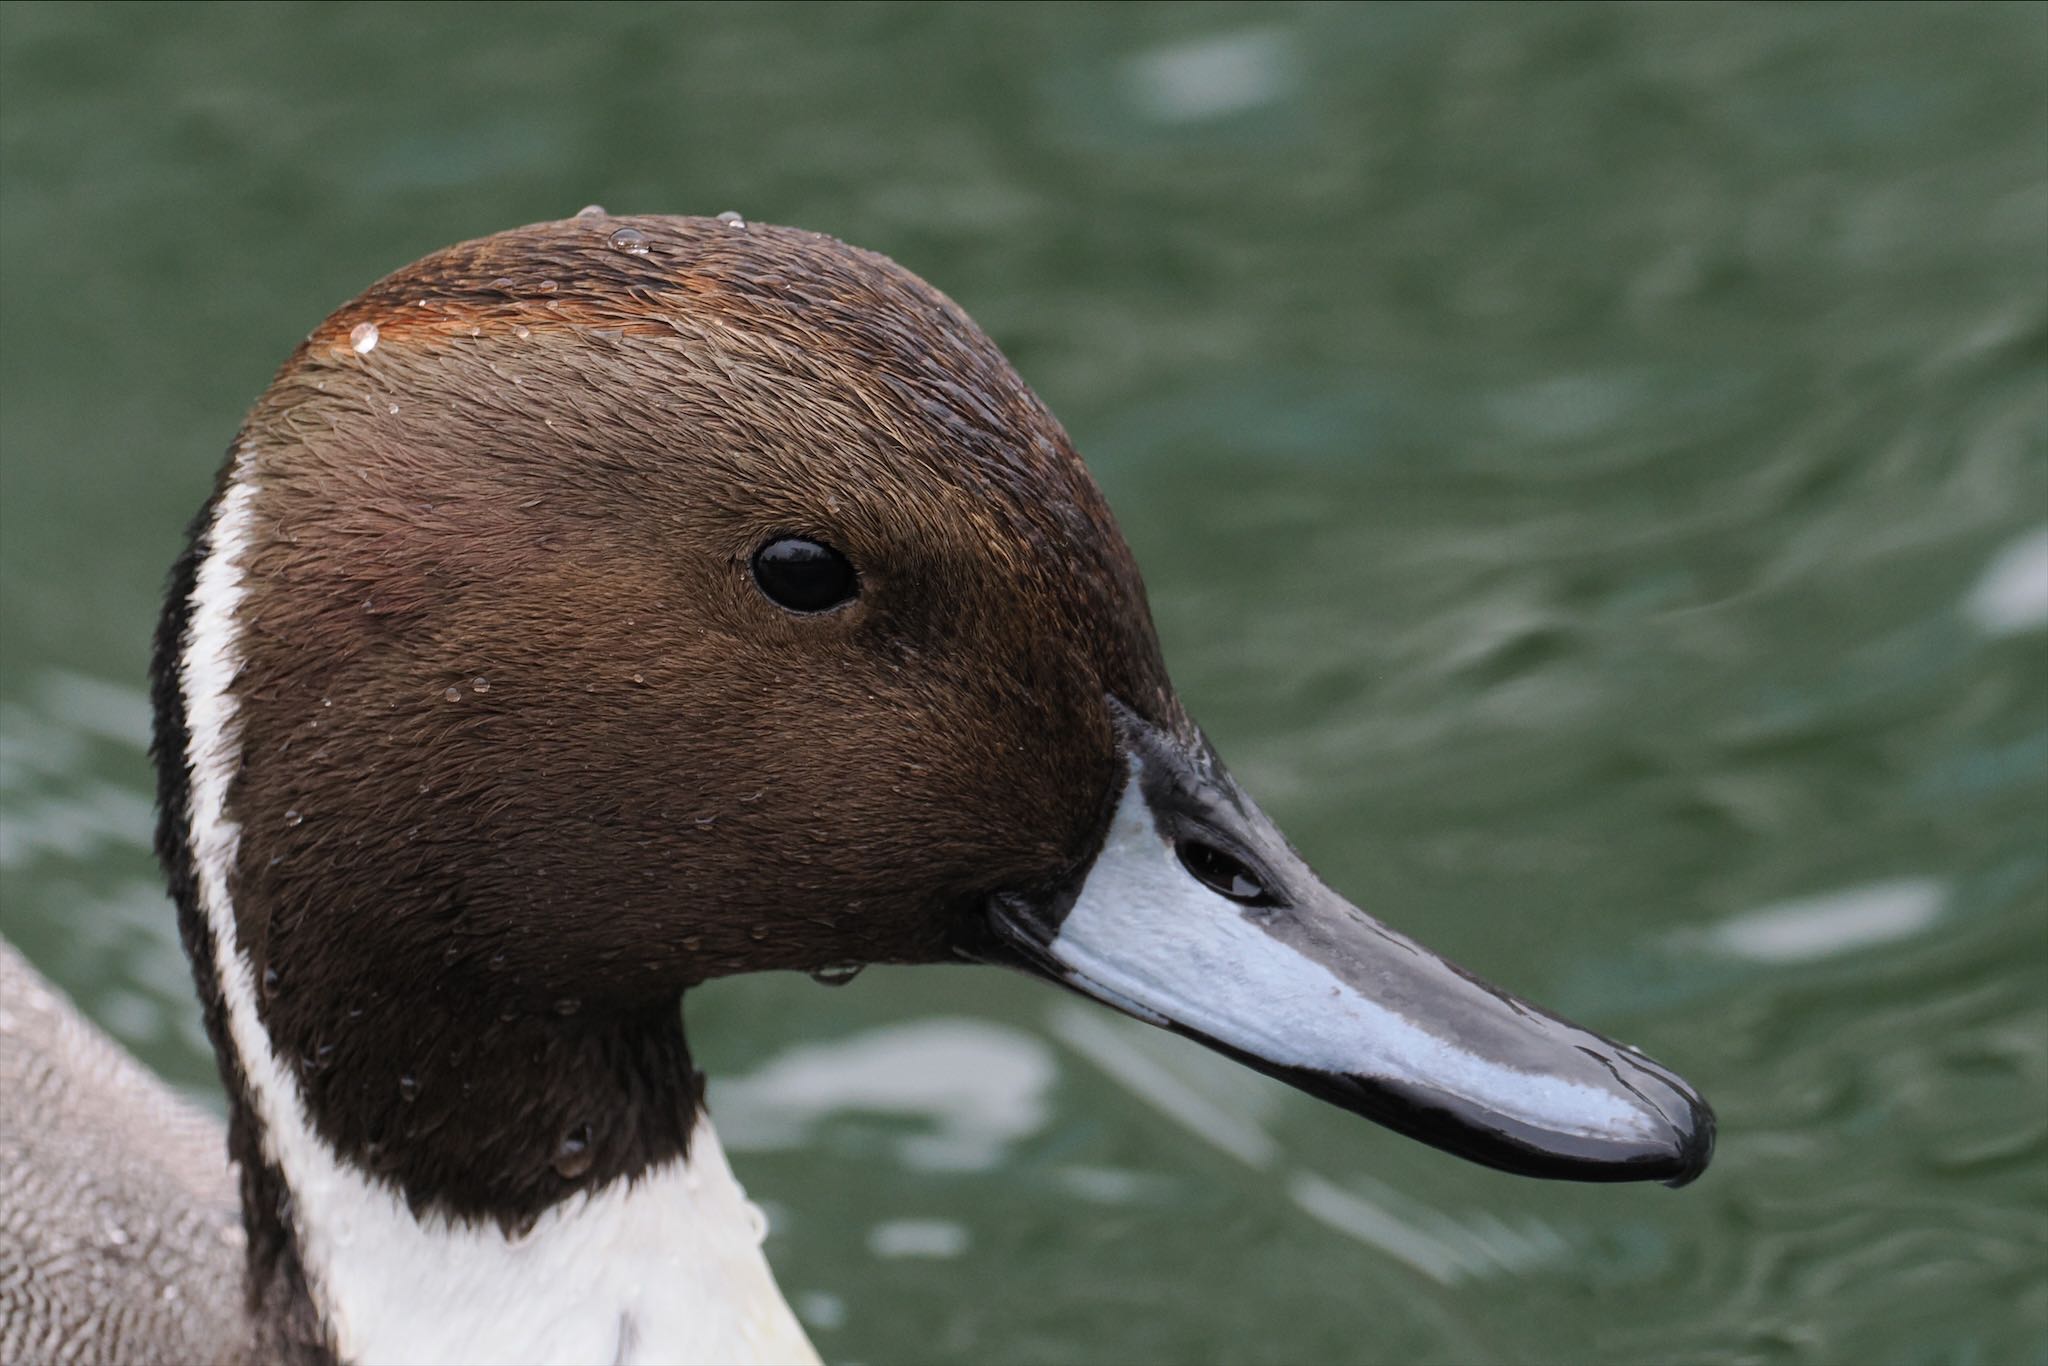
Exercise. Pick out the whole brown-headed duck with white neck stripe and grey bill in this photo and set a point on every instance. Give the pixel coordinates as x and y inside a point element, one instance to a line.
<point>613,605</point>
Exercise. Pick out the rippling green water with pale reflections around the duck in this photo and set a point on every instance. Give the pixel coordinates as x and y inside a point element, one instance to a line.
<point>1592,474</point>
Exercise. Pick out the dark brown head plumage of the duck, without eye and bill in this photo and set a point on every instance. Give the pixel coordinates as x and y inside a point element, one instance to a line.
<point>525,749</point>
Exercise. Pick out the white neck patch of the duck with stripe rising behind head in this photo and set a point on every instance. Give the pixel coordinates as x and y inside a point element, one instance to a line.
<point>660,1269</point>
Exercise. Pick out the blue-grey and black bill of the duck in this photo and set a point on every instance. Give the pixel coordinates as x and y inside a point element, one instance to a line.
<point>1199,919</point>
